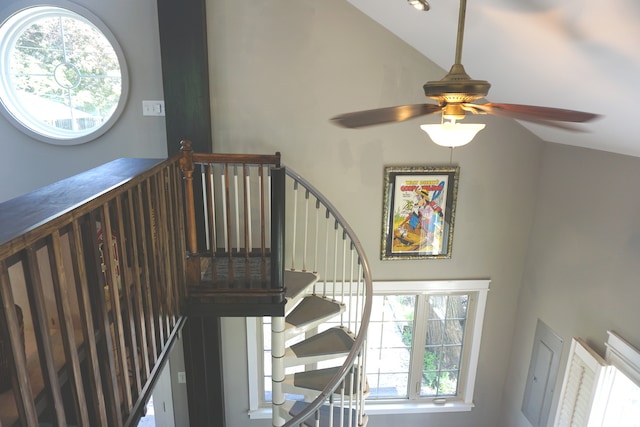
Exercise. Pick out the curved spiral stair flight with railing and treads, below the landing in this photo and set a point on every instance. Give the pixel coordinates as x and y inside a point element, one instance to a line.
<point>330,360</point>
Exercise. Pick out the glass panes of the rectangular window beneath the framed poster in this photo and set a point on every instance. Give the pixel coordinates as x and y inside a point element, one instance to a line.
<point>416,346</point>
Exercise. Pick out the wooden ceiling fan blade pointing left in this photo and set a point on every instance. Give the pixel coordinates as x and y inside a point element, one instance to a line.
<point>378,116</point>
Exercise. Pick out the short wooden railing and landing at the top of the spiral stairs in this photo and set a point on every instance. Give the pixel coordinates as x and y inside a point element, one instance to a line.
<point>235,227</point>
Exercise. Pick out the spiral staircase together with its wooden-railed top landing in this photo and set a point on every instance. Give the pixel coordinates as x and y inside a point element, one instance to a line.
<point>318,328</point>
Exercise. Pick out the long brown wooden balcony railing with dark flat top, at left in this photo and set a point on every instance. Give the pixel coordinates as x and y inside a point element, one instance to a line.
<point>96,265</point>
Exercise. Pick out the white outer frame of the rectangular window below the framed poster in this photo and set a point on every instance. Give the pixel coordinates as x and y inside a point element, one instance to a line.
<point>464,402</point>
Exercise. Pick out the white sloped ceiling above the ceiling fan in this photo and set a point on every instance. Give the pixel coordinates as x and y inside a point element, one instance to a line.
<point>575,54</point>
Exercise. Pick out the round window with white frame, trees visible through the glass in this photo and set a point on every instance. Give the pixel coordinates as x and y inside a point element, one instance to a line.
<point>63,78</point>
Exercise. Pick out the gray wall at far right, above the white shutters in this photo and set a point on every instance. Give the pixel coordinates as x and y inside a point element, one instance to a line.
<point>583,264</point>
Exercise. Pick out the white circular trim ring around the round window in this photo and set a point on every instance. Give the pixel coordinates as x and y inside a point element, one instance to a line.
<point>84,15</point>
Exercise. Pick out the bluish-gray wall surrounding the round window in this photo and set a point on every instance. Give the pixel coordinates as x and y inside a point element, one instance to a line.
<point>27,164</point>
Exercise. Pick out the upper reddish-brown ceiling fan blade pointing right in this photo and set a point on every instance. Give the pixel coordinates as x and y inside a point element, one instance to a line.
<point>533,113</point>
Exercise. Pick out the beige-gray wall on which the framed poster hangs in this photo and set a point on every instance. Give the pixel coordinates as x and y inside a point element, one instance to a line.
<point>279,70</point>
